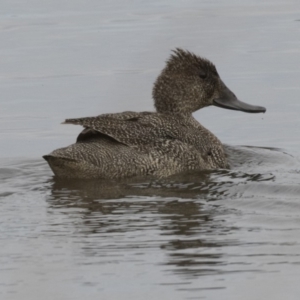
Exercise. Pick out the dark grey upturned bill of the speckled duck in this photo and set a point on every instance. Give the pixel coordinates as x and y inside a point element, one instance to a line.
<point>228,100</point>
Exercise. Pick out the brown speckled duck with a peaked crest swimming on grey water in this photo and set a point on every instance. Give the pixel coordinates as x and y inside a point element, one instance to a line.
<point>157,143</point>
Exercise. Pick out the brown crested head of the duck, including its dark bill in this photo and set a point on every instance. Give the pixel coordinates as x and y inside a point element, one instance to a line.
<point>189,82</point>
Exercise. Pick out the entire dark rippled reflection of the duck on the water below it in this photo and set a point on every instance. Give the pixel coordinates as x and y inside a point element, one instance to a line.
<point>167,215</point>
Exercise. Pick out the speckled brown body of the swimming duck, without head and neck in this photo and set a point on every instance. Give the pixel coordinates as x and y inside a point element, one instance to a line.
<point>137,144</point>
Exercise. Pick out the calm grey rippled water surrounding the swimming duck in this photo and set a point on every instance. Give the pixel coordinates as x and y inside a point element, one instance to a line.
<point>212,235</point>
